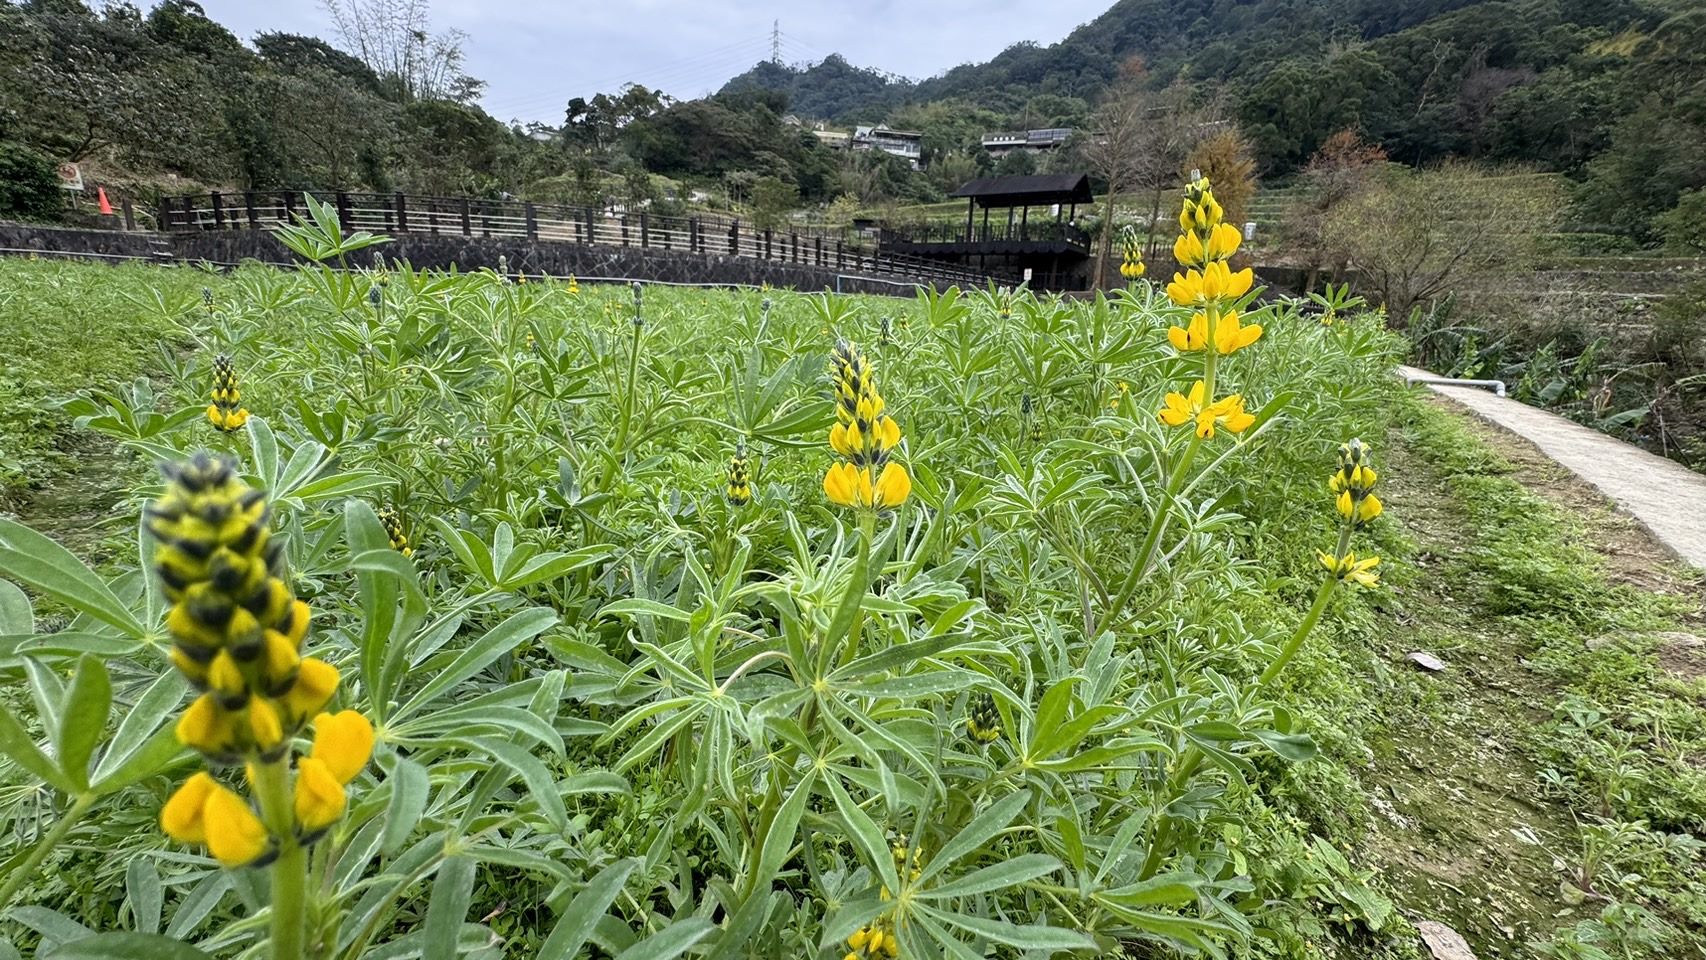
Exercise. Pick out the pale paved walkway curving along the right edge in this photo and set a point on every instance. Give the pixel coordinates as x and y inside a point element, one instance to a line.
<point>1662,495</point>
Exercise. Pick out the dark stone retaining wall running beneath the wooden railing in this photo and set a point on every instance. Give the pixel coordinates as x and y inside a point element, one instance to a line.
<point>555,258</point>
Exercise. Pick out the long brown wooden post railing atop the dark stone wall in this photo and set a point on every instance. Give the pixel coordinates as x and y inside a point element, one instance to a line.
<point>519,219</point>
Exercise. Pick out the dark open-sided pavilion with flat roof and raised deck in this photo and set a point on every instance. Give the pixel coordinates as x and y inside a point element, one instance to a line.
<point>1047,245</point>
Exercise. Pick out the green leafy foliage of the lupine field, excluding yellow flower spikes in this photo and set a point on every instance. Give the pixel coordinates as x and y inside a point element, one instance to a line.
<point>612,697</point>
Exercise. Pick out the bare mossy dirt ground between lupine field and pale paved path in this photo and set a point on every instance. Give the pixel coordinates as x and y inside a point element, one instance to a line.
<point>1466,835</point>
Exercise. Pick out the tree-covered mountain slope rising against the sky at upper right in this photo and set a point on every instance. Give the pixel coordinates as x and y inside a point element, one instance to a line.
<point>1531,81</point>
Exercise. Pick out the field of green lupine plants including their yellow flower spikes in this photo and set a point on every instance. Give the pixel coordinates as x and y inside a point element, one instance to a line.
<point>492,616</point>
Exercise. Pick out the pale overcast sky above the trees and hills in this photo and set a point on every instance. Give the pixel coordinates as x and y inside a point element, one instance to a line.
<point>535,57</point>
